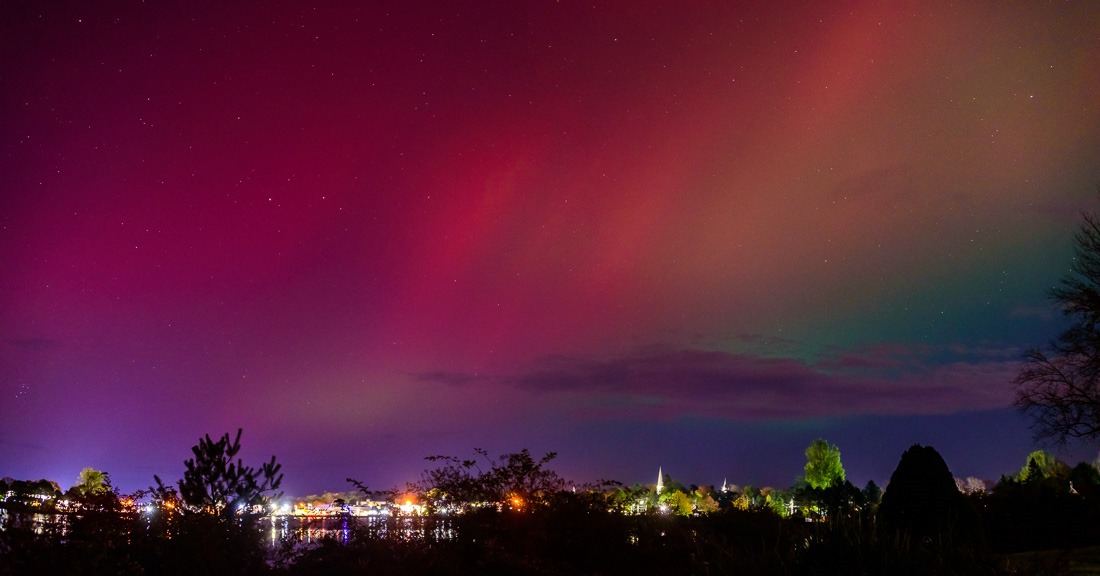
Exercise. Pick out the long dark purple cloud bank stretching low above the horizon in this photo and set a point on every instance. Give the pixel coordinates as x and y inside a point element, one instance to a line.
<point>670,383</point>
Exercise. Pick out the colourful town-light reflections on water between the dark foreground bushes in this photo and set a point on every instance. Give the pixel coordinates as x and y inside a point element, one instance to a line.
<point>343,529</point>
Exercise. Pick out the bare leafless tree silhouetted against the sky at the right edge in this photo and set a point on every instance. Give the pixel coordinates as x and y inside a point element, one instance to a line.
<point>1058,386</point>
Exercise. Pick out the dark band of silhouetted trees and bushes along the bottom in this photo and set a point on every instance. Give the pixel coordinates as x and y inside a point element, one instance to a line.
<point>514,515</point>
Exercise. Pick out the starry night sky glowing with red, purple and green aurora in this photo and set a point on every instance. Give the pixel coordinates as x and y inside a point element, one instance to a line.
<point>692,236</point>
